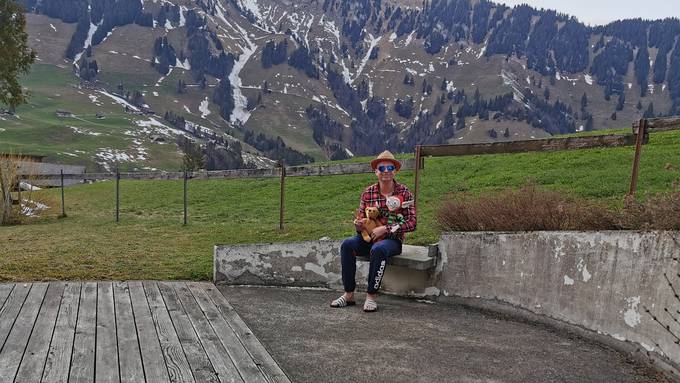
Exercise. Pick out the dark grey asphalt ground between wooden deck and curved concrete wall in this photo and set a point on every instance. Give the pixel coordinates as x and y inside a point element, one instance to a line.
<point>410,341</point>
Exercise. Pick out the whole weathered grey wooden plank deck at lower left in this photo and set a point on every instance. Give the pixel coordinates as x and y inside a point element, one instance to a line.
<point>127,332</point>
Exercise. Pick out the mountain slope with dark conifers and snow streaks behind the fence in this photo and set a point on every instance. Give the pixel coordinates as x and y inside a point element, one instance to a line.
<point>338,78</point>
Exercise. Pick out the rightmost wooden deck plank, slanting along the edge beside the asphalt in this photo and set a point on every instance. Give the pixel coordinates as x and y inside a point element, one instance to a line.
<point>259,353</point>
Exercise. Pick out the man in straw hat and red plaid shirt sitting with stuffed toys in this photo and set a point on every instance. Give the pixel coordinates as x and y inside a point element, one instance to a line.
<point>385,240</point>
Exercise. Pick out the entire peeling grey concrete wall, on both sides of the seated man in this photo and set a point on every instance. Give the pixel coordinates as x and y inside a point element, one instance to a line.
<point>595,282</point>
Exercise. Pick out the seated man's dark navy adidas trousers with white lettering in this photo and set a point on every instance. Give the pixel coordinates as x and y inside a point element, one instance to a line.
<point>377,252</point>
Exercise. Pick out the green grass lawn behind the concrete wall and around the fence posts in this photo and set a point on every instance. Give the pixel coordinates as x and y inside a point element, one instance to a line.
<point>151,243</point>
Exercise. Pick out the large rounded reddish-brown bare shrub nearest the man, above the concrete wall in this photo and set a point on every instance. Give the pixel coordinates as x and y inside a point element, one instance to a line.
<point>529,208</point>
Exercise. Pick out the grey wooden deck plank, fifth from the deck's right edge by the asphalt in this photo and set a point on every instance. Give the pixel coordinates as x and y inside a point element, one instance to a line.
<point>178,366</point>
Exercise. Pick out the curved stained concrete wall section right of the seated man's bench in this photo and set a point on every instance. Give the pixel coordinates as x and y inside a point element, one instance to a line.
<point>601,281</point>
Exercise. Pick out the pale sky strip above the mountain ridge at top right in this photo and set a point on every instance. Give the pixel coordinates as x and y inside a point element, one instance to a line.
<point>598,12</point>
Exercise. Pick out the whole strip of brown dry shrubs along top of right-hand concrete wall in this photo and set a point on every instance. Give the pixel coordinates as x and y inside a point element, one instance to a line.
<point>535,208</point>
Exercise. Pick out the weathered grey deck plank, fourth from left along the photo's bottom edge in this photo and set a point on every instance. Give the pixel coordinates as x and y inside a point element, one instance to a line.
<point>82,358</point>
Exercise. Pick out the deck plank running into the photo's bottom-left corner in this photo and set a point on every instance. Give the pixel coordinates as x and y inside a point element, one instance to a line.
<point>17,340</point>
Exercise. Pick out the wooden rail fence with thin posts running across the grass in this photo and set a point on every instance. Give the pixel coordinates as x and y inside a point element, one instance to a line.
<point>637,137</point>
